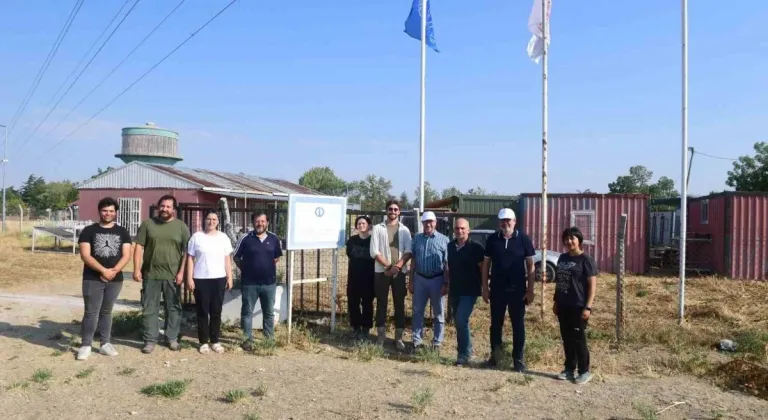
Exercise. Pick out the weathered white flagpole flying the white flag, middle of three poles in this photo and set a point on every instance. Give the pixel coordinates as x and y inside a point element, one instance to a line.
<point>544,140</point>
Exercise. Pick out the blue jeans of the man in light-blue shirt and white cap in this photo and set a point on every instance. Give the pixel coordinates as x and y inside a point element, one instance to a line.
<point>423,290</point>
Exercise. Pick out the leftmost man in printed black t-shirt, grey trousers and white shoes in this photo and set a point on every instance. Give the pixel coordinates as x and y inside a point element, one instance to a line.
<point>105,249</point>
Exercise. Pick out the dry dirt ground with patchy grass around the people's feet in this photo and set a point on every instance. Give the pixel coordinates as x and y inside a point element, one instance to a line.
<point>660,374</point>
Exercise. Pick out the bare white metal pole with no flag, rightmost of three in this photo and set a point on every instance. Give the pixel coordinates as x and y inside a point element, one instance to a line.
<point>684,162</point>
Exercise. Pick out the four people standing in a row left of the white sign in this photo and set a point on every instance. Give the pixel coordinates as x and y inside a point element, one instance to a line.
<point>164,255</point>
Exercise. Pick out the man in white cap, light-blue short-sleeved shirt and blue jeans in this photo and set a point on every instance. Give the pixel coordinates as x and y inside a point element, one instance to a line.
<point>429,279</point>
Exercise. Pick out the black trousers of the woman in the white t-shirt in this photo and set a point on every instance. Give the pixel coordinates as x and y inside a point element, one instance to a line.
<point>209,297</point>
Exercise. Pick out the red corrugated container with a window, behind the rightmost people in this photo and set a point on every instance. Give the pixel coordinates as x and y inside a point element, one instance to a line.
<point>597,215</point>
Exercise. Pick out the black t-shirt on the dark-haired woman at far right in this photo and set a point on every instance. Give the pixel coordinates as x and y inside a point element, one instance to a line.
<point>573,273</point>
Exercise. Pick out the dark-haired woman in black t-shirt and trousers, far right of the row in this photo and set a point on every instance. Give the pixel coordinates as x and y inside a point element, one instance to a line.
<point>576,282</point>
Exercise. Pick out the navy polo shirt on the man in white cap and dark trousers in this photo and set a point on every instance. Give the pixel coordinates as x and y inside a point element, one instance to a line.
<point>508,273</point>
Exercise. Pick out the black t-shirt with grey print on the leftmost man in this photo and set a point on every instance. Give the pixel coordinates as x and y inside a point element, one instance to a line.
<point>106,248</point>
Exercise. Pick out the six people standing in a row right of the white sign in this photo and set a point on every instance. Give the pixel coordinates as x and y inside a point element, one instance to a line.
<point>501,271</point>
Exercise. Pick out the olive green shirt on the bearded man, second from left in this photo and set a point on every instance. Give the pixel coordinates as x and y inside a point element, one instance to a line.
<point>164,246</point>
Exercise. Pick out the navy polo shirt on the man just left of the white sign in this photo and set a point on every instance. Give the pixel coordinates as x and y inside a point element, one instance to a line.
<point>257,258</point>
